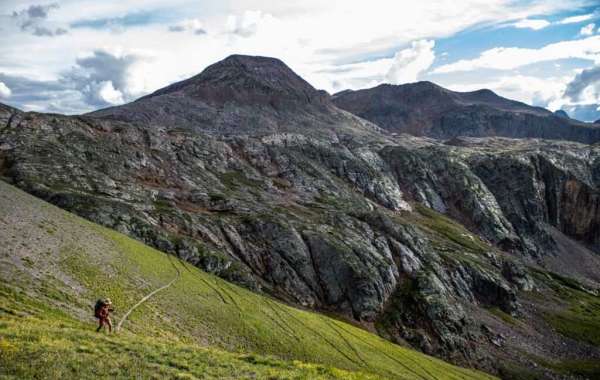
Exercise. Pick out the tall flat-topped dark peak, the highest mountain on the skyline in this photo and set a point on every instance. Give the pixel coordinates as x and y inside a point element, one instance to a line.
<point>241,95</point>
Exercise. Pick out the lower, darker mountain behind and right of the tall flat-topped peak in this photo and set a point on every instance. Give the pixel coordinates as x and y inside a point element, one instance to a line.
<point>426,109</point>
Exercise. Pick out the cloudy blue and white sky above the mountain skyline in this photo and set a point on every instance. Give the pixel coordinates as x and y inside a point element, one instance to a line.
<point>77,56</point>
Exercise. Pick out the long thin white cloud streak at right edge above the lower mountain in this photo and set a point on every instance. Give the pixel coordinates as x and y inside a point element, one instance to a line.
<point>502,58</point>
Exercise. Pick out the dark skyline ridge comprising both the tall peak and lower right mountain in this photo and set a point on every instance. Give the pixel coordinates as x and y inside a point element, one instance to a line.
<point>269,90</point>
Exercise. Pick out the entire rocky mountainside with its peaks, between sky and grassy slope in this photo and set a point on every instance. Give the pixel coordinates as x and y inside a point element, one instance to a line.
<point>470,249</point>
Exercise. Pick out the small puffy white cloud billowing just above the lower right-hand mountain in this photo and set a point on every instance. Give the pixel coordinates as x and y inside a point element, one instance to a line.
<point>409,63</point>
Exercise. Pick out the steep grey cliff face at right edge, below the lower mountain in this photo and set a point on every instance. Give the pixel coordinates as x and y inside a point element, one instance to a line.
<point>513,196</point>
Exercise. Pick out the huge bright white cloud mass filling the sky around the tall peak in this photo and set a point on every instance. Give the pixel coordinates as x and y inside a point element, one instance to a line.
<point>333,44</point>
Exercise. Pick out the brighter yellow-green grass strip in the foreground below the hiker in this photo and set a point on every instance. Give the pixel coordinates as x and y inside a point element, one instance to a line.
<point>38,342</point>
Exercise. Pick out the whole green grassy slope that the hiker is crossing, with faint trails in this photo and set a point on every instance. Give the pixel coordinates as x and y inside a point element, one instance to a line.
<point>67,263</point>
